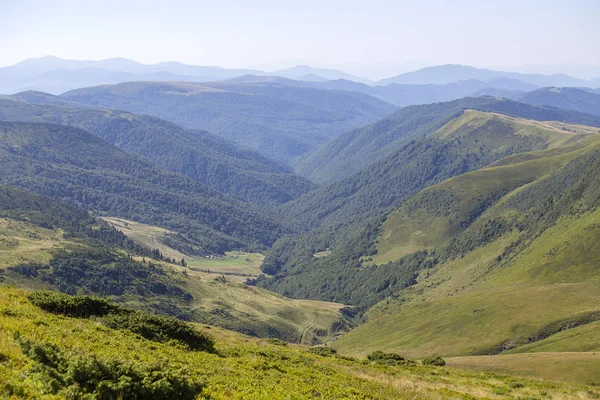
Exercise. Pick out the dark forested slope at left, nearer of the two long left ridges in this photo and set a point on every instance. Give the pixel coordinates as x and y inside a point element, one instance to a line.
<point>72,165</point>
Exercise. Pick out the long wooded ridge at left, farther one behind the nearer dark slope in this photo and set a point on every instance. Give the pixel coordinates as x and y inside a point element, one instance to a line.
<point>200,156</point>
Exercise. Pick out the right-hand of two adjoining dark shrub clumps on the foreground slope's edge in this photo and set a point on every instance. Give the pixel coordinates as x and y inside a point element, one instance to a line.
<point>159,328</point>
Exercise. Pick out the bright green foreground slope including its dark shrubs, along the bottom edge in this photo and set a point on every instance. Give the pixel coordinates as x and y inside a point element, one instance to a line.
<point>37,347</point>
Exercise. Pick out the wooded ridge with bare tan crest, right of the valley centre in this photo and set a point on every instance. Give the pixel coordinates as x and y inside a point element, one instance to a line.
<point>469,142</point>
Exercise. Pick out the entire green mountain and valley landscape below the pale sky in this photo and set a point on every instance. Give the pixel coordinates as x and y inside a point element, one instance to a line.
<point>179,231</point>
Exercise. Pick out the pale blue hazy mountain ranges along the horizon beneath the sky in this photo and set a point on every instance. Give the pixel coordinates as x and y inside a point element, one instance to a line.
<point>55,75</point>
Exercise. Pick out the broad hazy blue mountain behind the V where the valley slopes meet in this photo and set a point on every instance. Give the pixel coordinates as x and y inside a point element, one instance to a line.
<point>279,121</point>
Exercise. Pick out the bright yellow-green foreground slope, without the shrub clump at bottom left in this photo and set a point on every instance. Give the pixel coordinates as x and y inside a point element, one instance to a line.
<point>244,368</point>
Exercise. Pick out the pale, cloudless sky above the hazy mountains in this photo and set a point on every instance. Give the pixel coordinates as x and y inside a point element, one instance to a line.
<point>357,35</point>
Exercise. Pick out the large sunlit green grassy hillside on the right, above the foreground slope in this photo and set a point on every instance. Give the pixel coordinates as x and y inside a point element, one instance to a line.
<point>522,291</point>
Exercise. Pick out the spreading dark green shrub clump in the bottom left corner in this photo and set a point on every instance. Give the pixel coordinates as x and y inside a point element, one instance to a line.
<point>87,377</point>
